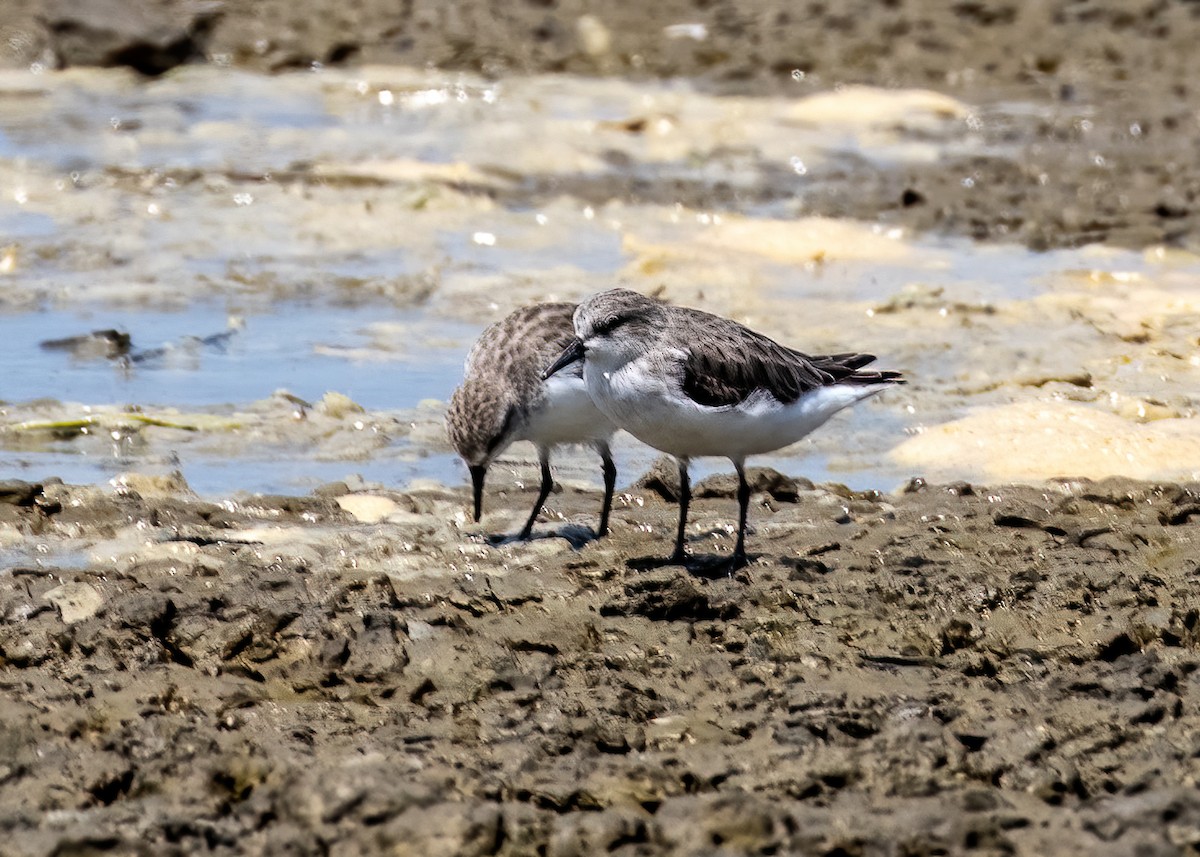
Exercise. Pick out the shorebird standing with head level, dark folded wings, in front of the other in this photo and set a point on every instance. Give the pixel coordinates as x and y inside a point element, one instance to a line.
<point>692,385</point>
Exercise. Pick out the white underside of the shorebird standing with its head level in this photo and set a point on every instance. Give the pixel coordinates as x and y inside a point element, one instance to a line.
<point>653,409</point>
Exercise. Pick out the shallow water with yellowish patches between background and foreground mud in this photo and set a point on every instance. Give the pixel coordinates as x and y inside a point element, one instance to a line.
<point>353,232</point>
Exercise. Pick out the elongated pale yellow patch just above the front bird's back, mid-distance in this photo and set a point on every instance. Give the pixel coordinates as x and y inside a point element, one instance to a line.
<point>812,241</point>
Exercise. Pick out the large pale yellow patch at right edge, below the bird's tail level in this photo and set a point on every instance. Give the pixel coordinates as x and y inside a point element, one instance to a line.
<point>1048,440</point>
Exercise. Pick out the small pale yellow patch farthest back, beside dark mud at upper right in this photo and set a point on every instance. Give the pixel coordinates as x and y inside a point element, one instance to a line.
<point>871,106</point>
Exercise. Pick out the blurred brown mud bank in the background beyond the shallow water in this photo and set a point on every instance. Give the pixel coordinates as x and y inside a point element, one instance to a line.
<point>1106,164</point>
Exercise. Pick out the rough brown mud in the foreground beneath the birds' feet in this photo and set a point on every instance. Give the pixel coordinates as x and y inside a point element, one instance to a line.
<point>956,669</point>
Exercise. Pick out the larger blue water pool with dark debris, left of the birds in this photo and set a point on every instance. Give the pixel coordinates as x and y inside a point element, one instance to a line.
<point>271,352</point>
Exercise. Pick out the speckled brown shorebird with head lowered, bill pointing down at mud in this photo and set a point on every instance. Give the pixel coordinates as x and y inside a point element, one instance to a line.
<point>505,399</point>
